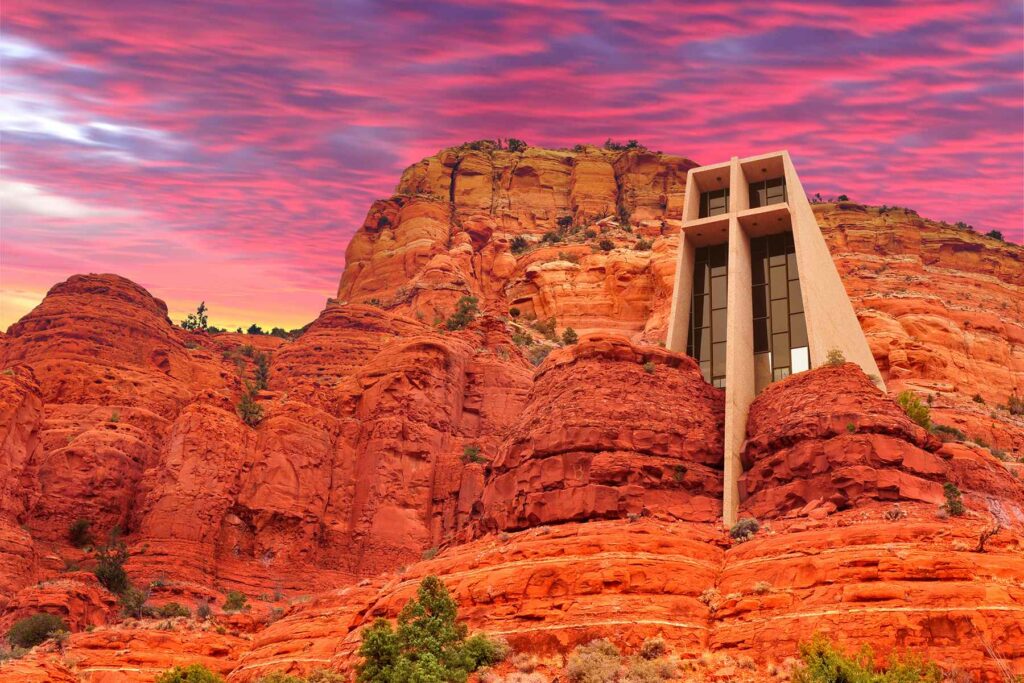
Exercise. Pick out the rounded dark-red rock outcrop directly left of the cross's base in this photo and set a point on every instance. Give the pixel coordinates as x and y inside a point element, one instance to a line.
<point>610,431</point>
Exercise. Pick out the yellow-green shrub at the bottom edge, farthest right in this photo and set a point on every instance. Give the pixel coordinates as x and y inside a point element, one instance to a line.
<point>822,663</point>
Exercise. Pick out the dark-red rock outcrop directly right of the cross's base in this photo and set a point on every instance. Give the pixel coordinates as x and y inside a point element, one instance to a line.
<point>829,439</point>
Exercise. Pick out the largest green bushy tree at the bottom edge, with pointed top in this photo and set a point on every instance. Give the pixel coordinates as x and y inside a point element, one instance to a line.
<point>430,644</point>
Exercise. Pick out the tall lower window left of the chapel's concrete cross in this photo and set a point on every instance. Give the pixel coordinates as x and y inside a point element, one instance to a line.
<point>708,312</point>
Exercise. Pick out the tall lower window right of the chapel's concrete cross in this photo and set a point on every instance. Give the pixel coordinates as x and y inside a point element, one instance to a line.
<point>781,347</point>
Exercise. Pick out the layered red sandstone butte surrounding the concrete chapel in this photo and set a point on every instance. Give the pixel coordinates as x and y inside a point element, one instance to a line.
<point>561,502</point>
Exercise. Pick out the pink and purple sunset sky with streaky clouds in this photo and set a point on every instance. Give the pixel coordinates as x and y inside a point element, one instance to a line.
<point>227,152</point>
